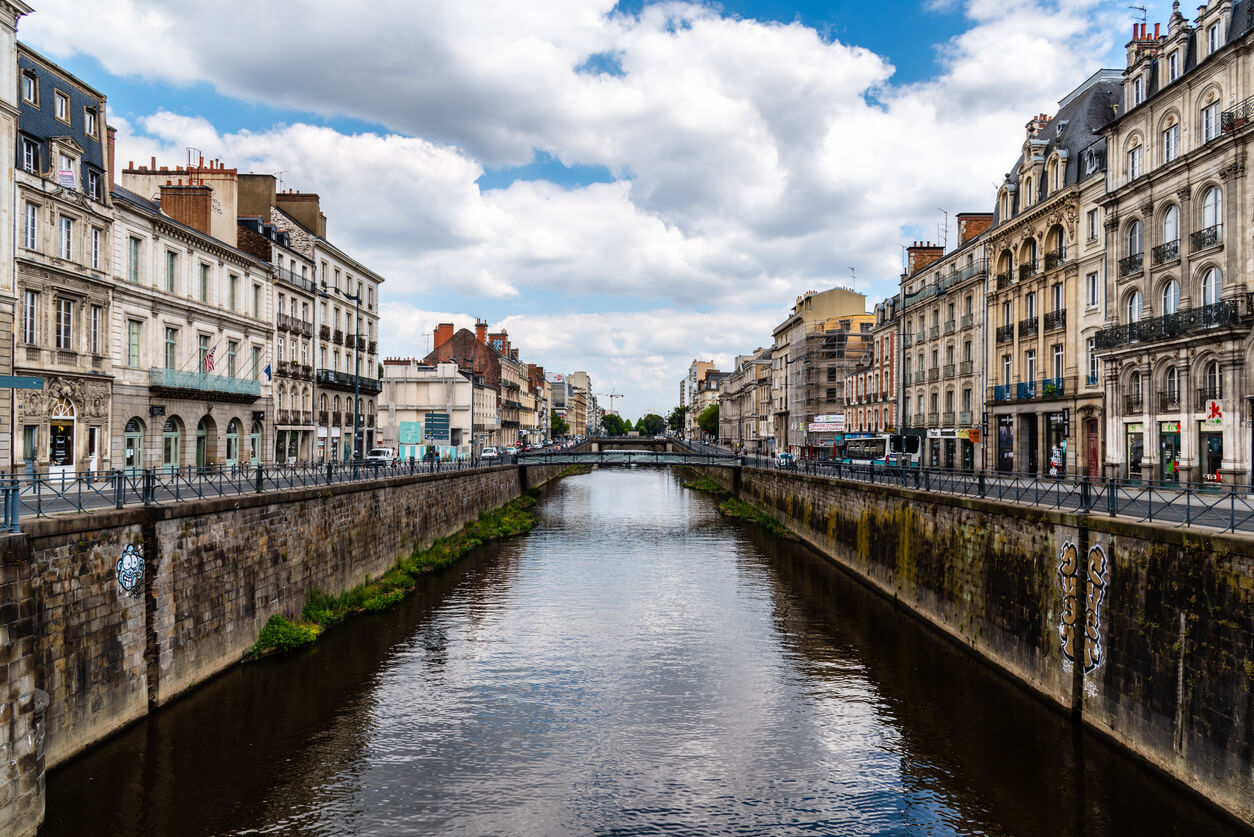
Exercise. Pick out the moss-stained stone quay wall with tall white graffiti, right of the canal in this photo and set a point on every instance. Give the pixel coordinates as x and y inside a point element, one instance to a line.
<point>1143,632</point>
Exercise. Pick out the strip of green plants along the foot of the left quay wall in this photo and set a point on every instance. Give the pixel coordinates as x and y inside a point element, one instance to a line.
<point>324,610</point>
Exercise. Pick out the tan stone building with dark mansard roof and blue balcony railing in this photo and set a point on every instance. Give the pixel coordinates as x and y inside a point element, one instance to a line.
<point>1039,397</point>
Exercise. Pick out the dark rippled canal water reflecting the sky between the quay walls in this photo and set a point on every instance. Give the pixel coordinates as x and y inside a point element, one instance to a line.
<point>636,666</point>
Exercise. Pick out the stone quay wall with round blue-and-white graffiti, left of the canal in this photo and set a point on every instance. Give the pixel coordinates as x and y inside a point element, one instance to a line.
<point>107,616</point>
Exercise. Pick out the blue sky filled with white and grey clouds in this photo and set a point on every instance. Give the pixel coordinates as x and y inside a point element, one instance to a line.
<point>624,186</point>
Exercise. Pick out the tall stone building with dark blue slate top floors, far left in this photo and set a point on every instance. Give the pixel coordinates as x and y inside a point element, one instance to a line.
<point>63,264</point>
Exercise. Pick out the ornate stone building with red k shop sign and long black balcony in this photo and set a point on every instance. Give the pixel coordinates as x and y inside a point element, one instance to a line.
<point>1177,342</point>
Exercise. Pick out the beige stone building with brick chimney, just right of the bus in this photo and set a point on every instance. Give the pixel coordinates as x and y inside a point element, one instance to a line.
<point>944,346</point>
